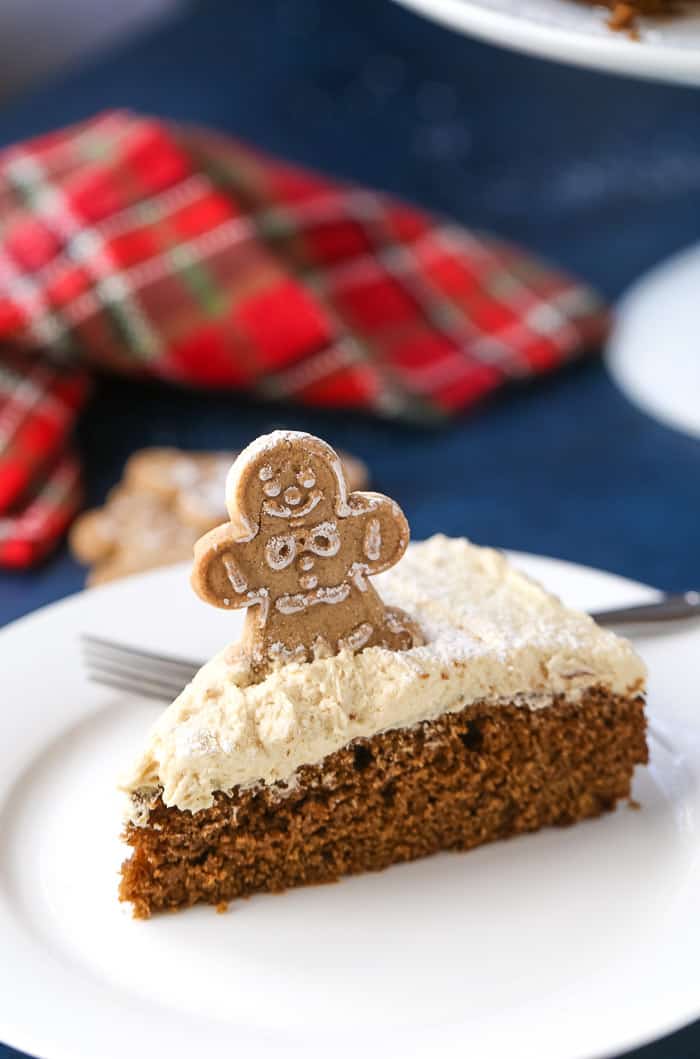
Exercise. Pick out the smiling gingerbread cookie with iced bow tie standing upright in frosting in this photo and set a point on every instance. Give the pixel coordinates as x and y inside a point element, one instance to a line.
<point>299,552</point>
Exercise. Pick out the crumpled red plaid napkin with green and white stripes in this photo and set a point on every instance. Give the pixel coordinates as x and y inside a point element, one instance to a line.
<point>152,252</point>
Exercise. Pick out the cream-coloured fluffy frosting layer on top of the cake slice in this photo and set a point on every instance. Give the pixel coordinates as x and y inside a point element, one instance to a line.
<point>492,635</point>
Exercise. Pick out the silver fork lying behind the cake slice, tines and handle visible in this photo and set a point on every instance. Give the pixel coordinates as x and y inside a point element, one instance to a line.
<point>164,677</point>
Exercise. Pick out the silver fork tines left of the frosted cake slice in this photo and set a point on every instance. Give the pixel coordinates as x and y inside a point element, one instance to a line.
<point>136,671</point>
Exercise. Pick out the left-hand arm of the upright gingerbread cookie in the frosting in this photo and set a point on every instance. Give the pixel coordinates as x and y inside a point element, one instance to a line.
<point>219,573</point>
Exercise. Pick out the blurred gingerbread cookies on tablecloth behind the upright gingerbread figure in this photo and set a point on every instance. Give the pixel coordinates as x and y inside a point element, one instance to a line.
<point>166,500</point>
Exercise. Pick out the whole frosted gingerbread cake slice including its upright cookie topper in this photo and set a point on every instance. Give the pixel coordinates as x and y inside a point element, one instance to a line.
<point>356,726</point>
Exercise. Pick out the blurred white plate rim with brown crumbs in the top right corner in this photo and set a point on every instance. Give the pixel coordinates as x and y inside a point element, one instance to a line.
<point>575,31</point>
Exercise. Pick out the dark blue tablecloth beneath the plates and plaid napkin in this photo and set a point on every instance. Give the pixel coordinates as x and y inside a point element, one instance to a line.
<point>602,175</point>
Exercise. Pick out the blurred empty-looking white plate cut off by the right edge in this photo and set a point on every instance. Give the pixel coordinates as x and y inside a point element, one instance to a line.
<point>653,353</point>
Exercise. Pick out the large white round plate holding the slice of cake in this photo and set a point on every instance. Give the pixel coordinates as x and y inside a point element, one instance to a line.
<point>563,945</point>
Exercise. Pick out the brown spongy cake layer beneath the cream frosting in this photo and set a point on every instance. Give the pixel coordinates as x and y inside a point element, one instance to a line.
<point>487,773</point>
